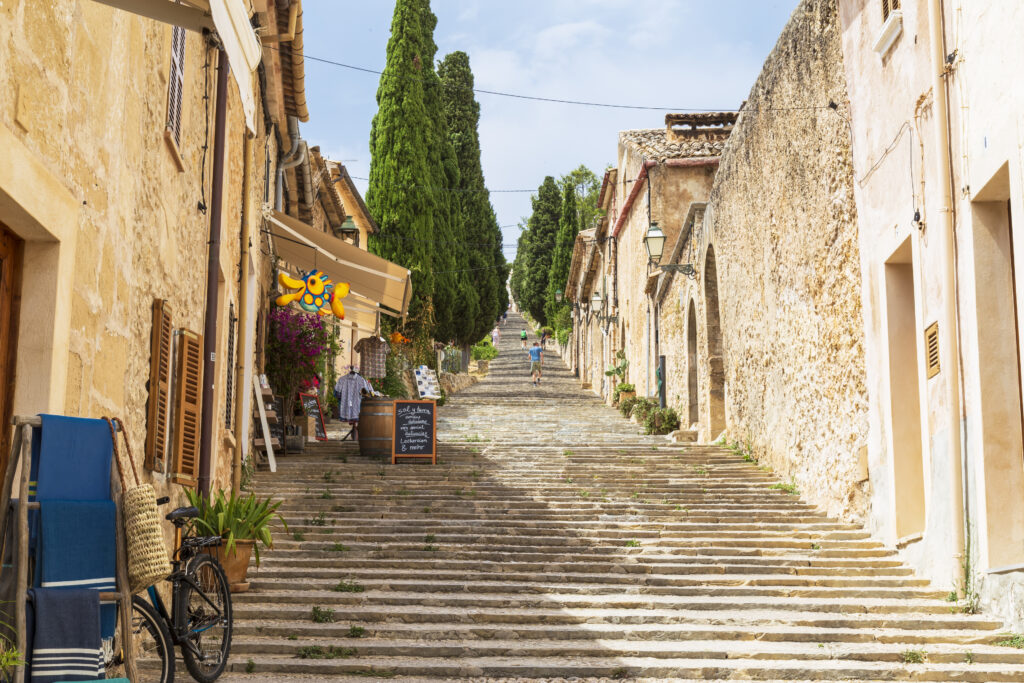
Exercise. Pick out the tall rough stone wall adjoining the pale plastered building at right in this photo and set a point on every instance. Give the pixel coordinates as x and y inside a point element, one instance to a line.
<point>782,222</point>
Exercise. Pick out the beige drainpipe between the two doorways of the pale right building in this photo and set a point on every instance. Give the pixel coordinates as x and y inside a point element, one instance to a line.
<point>950,333</point>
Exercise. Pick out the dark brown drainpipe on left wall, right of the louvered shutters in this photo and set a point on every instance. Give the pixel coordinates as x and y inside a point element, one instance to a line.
<point>212,277</point>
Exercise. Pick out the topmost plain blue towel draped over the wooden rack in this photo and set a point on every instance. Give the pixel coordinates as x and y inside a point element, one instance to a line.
<point>71,460</point>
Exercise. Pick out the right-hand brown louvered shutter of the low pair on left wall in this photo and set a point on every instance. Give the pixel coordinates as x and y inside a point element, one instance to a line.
<point>188,399</point>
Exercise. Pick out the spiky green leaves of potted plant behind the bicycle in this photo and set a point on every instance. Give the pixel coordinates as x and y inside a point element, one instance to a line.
<point>235,519</point>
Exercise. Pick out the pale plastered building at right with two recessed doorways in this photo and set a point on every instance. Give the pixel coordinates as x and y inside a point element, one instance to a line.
<point>937,129</point>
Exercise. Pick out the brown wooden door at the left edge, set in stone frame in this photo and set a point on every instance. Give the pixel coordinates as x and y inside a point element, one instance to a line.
<point>12,253</point>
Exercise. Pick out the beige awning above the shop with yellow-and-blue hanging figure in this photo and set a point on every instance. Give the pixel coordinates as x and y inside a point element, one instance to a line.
<point>375,284</point>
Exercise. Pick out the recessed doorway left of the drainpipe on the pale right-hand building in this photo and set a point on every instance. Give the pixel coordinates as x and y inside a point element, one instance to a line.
<point>905,393</point>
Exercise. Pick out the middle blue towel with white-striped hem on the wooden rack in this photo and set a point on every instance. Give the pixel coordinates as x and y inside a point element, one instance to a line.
<point>78,550</point>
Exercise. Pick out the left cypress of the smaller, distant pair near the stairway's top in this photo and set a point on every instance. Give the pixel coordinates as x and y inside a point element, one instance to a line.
<point>540,248</point>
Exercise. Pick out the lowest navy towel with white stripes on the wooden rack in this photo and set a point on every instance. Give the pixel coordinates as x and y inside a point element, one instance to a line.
<point>64,626</point>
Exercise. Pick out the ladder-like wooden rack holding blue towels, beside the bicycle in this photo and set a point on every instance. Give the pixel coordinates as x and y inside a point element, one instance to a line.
<point>22,450</point>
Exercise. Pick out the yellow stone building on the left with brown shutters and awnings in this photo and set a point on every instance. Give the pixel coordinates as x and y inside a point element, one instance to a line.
<point>129,150</point>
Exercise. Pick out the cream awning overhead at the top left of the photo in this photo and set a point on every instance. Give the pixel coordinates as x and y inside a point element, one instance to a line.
<point>230,19</point>
